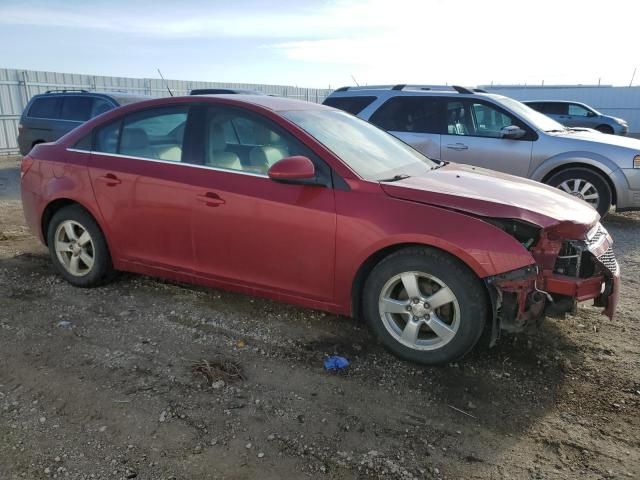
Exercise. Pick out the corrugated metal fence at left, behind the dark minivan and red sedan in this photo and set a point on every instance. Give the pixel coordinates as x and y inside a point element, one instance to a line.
<point>18,86</point>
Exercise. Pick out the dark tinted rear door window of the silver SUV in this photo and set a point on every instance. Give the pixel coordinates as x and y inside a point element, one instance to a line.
<point>420,114</point>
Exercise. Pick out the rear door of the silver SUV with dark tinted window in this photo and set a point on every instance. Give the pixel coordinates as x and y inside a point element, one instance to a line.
<point>416,120</point>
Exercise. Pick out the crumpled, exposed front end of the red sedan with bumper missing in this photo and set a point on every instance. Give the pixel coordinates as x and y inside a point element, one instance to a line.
<point>566,272</point>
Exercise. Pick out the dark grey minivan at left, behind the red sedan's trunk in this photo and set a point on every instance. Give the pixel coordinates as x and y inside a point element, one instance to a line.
<point>48,116</point>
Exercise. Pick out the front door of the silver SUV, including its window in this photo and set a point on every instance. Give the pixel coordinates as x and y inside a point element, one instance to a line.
<point>473,137</point>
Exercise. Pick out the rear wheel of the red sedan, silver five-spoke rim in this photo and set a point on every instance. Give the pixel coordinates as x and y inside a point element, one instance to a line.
<point>78,248</point>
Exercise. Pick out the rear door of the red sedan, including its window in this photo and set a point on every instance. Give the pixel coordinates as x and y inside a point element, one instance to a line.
<point>141,187</point>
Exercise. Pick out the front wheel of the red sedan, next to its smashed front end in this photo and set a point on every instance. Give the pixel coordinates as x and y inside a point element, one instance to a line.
<point>425,306</point>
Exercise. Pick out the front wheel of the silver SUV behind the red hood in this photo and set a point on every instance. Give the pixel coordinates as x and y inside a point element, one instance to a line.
<point>586,185</point>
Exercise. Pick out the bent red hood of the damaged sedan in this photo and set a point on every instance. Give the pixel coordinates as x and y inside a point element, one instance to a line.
<point>496,195</point>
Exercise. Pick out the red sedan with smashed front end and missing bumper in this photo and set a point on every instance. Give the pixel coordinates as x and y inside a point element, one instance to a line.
<point>306,204</point>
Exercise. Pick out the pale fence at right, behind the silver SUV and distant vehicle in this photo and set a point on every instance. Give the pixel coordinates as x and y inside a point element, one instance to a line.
<point>622,102</point>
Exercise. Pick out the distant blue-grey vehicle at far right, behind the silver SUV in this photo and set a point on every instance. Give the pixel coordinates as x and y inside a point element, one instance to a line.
<point>575,114</point>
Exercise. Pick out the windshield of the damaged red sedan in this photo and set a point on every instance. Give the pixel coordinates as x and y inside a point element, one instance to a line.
<point>372,153</point>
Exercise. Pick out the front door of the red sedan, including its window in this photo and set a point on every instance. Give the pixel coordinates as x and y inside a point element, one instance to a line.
<point>250,229</point>
